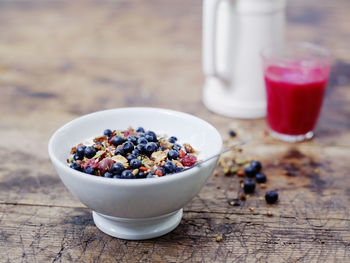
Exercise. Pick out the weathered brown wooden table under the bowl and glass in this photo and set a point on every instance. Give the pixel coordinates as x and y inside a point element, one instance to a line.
<point>62,59</point>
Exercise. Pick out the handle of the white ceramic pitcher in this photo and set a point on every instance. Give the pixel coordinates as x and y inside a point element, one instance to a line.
<point>210,8</point>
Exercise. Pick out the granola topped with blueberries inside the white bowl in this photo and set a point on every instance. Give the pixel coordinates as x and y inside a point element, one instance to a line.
<point>132,154</point>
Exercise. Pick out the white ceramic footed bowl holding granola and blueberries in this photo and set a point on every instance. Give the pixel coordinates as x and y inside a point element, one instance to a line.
<point>140,208</point>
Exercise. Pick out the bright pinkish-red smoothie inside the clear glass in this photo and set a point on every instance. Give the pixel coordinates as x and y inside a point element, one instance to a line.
<point>294,97</point>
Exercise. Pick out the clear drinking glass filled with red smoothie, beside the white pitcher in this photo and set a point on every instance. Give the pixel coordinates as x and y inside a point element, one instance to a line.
<point>296,76</point>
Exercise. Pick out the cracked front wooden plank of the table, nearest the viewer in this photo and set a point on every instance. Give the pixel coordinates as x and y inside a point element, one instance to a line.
<point>54,234</point>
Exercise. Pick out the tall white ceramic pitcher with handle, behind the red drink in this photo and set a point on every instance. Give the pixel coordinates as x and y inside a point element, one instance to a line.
<point>234,31</point>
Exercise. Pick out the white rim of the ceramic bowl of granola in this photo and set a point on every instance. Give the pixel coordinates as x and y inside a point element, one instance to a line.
<point>131,182</point>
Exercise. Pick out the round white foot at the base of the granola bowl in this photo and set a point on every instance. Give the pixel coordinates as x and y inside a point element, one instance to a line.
<point>137,229</point>
